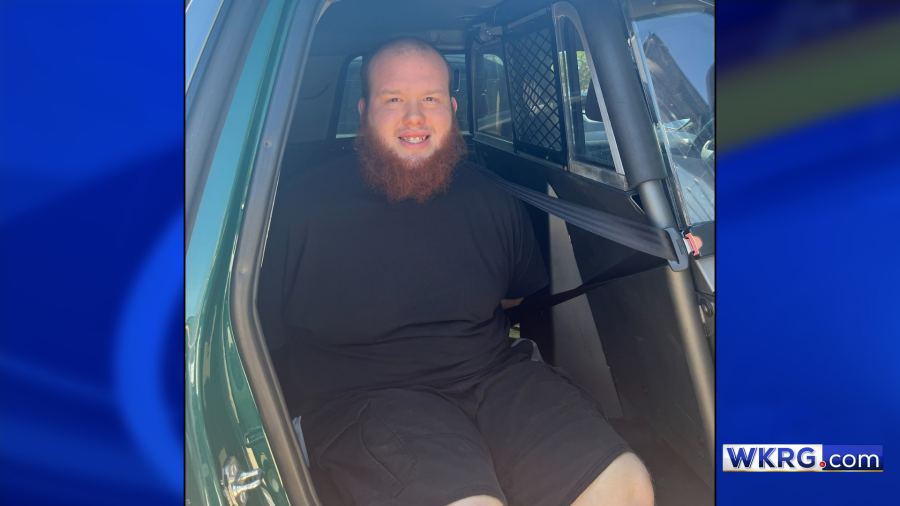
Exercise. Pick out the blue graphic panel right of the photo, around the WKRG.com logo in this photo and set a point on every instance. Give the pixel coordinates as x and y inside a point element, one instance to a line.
<point>807,280</point>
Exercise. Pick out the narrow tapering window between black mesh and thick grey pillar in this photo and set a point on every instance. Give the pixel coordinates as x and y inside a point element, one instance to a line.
<point>588,131</point>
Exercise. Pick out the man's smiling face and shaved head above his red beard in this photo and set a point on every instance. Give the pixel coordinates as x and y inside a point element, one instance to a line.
<point>410,109</point>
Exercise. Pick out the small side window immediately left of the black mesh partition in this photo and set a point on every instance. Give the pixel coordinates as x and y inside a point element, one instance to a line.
<point>491,94</point>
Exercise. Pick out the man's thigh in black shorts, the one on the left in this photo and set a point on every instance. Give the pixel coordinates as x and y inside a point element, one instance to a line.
<point>398,448</point>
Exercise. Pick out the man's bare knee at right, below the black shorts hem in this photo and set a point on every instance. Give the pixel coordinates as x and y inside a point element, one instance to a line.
<point>624,482</point>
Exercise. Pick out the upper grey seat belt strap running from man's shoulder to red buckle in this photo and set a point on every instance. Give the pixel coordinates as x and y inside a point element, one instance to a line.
<point>663,243</point>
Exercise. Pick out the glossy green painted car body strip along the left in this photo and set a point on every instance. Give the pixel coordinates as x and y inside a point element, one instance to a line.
<point>222,419</point>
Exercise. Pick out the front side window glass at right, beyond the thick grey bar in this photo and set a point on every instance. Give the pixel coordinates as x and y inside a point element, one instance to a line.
<point>679,55</point>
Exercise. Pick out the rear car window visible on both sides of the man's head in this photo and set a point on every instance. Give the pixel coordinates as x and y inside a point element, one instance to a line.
<point>348,118</point>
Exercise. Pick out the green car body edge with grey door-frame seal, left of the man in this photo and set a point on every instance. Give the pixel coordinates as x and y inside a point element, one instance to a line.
<point>213,285</point>
